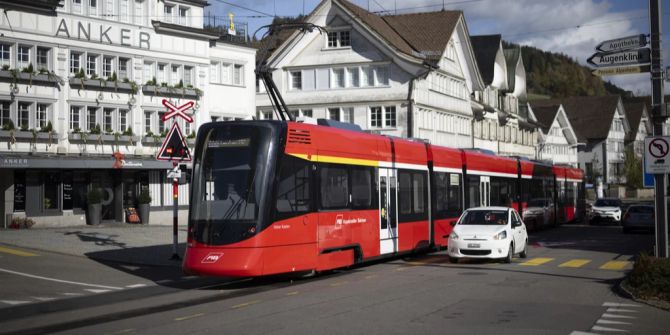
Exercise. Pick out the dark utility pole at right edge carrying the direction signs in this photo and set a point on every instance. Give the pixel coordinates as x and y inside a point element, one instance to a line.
<point>659,116</point>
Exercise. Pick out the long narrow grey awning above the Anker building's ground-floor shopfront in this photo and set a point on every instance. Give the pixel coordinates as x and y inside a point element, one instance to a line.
<point>79,162</point>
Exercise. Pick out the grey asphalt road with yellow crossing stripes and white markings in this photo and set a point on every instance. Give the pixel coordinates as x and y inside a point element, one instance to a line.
<point>565,286</point>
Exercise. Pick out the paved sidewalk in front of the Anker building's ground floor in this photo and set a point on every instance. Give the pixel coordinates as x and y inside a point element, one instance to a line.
<point>124,243</point>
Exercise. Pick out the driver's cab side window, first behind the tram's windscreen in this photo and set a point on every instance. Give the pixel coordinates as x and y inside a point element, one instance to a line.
<point>293,187</point>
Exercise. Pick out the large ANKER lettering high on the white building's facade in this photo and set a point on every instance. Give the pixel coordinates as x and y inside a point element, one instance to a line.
<point>103,33</point>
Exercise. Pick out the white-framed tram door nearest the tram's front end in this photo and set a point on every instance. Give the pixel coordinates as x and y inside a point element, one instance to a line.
<point>388,219</point>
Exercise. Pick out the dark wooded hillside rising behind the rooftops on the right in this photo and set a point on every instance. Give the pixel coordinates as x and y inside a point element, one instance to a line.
<point>557,75</point>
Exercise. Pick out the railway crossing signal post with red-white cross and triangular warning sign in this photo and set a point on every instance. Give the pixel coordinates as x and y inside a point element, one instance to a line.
<point>174,149</point>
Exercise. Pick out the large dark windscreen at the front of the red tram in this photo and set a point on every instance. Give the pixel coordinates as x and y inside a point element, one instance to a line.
<point>228,183</point>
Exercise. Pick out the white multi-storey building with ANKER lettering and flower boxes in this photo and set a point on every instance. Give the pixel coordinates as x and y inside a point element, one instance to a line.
<point>83,79</point>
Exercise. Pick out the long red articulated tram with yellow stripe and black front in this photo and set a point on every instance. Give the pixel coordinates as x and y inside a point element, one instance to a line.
<point>273,197</point>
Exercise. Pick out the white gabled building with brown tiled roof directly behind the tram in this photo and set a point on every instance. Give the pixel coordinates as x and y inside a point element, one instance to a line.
<point>404,75</point>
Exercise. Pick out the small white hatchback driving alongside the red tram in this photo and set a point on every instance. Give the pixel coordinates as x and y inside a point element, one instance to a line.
<point>488,232</point>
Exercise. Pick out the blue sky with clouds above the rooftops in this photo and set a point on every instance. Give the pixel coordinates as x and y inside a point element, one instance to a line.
<point>571,27</point>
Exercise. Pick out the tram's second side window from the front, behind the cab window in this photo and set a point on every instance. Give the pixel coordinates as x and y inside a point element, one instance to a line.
<point>334,187</point>
